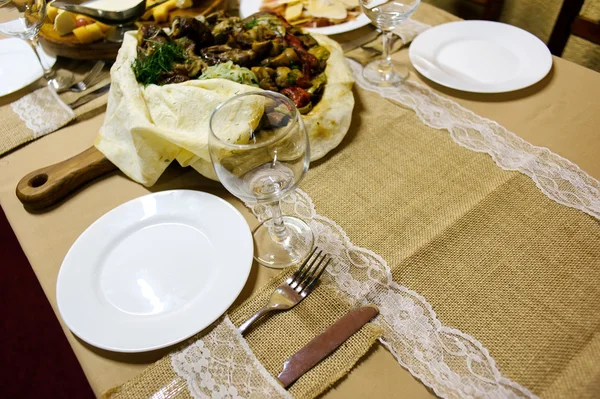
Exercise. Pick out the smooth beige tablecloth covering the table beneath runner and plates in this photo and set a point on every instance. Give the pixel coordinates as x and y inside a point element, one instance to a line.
<point>561,113</point>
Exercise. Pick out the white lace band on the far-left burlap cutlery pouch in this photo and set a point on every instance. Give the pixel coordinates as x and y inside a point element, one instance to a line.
<point>42,111</point>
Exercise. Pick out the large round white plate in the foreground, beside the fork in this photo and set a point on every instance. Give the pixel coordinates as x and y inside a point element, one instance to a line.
<point>154,271</point>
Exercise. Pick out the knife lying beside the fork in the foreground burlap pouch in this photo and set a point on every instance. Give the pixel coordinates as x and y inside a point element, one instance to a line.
<point>325,343</point>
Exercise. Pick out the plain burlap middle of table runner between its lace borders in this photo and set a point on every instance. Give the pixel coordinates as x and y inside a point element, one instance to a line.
<point>493,255</point>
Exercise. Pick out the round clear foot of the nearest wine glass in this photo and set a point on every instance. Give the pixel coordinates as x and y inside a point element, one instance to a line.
<point>288,251</point>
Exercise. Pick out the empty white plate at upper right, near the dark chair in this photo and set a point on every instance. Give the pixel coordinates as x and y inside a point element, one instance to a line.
<point>480,56</point>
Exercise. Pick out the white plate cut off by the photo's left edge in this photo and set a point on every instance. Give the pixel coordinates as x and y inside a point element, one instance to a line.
<point>19,66</point>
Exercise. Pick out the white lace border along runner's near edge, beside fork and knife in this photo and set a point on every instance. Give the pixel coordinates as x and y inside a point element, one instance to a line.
<point>453,364</point>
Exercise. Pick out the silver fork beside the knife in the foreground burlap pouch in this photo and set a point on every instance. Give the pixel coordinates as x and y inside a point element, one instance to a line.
<point>295,288</point>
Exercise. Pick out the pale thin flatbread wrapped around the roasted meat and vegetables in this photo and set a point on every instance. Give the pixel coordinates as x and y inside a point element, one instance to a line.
<point>147,128</point>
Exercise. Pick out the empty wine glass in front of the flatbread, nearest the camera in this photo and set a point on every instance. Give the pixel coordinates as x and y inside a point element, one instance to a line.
<point>260,151</point>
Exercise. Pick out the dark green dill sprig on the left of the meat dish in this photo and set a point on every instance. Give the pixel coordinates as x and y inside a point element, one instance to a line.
<point>149,69</point>
